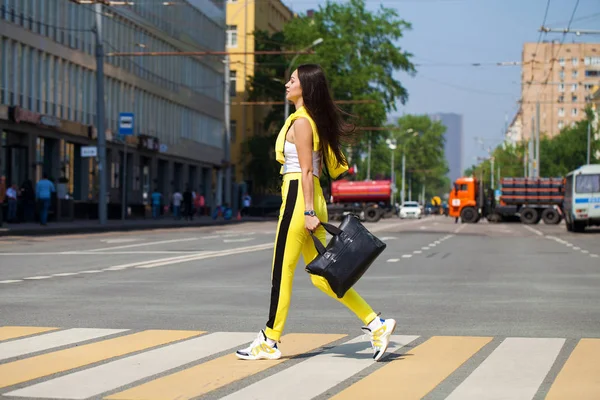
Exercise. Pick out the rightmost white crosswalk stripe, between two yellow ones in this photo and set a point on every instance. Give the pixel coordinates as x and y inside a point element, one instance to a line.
<point>514,370</point>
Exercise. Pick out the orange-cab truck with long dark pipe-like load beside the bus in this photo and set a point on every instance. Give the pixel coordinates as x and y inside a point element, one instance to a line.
<point>529,199</point>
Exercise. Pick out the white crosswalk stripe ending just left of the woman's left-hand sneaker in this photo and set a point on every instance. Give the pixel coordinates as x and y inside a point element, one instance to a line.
<point>97,380</point>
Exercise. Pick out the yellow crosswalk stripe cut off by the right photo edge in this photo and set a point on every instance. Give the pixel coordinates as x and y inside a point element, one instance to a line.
<point>580,376</point>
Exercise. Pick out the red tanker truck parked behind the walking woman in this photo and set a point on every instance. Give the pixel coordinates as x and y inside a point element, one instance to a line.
<point>370,200</point>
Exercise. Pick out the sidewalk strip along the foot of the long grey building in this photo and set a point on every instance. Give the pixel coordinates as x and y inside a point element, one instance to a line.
<point>93,226</point>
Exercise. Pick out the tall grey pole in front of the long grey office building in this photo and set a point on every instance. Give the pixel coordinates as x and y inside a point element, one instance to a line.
<point>100,114</point>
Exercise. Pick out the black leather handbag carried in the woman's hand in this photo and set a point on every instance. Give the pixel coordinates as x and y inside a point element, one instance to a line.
<point>348,255</point>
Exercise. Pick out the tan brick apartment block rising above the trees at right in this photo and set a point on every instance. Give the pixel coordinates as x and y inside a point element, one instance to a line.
<point>560,78</point>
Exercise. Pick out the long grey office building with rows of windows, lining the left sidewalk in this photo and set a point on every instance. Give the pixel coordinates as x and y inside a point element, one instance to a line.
<point>48,98</point>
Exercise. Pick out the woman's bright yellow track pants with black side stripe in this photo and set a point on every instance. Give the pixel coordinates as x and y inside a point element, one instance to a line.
<point>292,240</point>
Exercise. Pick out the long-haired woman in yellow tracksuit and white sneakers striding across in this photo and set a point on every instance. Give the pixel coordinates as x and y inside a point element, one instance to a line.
<point>310,139</point>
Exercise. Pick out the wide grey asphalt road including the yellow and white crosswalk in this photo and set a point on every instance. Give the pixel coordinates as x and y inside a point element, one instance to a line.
<point>484,311</point>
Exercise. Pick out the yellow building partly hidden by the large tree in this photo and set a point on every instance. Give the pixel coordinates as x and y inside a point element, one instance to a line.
<point>244,17</point>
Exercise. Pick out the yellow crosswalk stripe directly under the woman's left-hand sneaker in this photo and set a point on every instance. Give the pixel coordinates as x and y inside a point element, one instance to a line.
<point>214,374</point>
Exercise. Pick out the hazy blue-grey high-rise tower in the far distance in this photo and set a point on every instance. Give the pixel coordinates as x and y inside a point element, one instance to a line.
<point>453,146</point>
